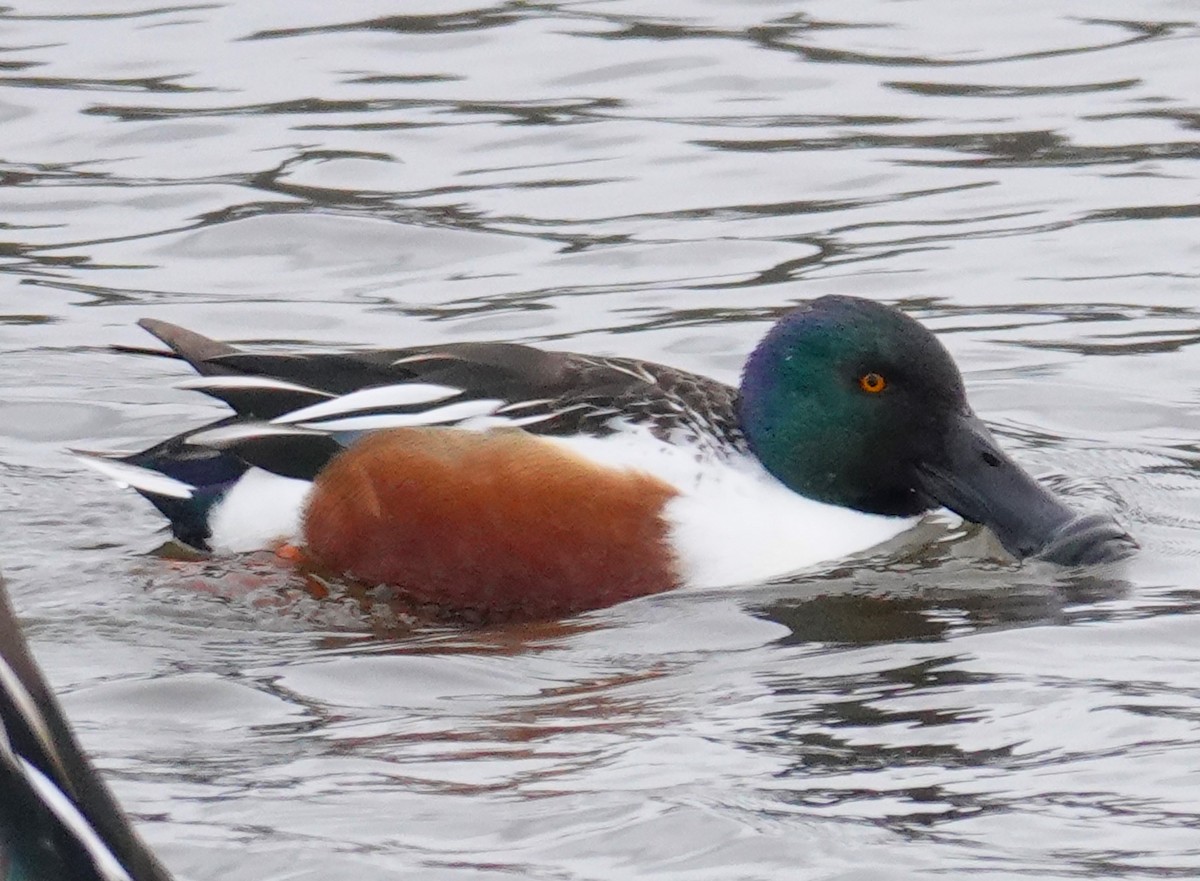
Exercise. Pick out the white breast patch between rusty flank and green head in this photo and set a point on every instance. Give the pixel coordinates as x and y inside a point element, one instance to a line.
<point>733,523</point>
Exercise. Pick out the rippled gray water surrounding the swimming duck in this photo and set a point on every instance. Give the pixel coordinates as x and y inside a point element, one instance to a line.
<point>655,179</point>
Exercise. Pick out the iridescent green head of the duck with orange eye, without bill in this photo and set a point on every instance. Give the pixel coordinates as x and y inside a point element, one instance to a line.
<point>844,398</point>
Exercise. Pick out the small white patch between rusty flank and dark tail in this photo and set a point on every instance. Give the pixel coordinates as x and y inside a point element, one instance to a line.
<point>260,511</point>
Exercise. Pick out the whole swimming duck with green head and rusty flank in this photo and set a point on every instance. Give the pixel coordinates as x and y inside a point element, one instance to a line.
<point>514,481</point>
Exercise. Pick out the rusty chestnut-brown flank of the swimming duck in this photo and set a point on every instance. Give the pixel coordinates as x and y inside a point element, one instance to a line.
<point>500,524</point>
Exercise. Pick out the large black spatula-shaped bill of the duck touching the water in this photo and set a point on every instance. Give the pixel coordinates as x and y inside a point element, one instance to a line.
<point>980,483</point>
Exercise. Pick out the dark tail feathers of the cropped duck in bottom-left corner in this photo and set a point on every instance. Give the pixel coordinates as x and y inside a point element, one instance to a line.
<point>58,818</point>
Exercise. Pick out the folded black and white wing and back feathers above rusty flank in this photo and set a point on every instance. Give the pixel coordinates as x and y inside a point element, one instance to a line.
<point>298,410</point>
